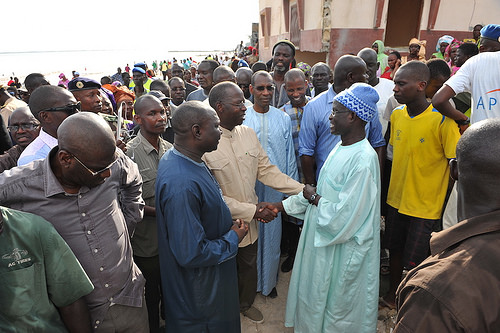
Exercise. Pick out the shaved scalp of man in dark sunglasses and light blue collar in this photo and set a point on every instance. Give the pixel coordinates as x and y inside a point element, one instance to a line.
<point>46,96</point>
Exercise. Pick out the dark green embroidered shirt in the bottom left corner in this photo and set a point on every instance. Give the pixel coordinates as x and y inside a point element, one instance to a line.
<point>38,273</point>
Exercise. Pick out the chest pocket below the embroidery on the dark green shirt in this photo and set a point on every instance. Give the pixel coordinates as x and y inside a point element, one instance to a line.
<point>20,290</point>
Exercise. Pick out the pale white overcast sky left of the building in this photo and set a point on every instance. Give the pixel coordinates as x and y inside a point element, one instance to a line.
<point>189,25</point>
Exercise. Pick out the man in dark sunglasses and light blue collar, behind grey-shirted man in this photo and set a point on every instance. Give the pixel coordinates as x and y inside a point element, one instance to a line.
<point>50,105</point>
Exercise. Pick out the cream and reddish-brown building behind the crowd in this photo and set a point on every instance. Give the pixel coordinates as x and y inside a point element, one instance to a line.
<point>324,30</point>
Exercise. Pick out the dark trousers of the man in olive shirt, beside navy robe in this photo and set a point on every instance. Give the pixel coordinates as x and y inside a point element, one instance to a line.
<point>150,268</point>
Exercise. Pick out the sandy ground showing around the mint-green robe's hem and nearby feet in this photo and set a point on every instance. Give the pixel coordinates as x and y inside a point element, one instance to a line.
<point>274,311</point>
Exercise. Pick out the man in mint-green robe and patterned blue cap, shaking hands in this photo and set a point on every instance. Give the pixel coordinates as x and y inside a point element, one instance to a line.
<point>334,284</point>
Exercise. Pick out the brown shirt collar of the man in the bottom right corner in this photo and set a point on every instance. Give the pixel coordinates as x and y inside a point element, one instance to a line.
<point>474,226</point>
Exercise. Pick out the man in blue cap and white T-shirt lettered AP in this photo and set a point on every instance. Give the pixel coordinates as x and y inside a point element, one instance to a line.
<point>480,76</point>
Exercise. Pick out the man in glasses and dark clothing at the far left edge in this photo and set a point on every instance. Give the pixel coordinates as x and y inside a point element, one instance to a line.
<point>24,128</point>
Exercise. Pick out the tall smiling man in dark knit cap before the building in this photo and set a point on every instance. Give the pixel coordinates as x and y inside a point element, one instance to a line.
<point>283,56</point>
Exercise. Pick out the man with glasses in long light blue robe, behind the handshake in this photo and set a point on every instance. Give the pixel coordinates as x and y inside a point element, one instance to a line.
<point>274,130</point>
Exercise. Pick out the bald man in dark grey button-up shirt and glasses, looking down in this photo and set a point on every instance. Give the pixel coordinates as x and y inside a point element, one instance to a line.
<point>91,192</point>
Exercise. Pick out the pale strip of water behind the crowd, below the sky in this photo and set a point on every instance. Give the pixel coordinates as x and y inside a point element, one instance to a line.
<point>89,63</point>
